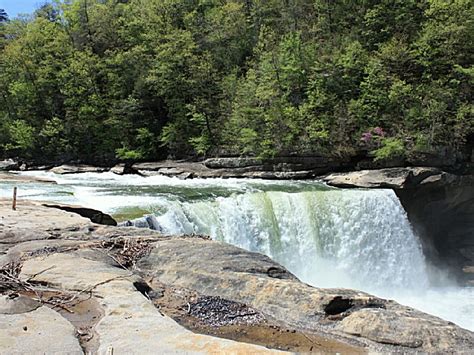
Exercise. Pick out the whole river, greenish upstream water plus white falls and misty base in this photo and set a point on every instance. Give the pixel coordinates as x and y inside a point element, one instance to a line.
<point>327,237</point>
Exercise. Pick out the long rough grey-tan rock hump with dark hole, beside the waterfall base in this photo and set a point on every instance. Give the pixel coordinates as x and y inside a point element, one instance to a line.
<point>226,271</point>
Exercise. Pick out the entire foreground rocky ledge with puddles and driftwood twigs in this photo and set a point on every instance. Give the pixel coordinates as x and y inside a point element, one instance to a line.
<point>69,285</point>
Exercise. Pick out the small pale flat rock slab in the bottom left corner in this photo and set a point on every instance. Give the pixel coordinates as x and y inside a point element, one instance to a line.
<point>42,331</point>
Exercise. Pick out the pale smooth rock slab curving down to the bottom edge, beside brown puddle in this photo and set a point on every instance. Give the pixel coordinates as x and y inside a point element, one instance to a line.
<point>131,324</point>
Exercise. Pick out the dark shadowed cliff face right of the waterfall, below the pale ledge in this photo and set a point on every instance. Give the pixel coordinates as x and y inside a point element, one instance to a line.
<point>443,215</point>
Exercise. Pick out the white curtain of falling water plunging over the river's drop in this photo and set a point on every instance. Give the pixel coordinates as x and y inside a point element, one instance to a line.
<point>353,238</point>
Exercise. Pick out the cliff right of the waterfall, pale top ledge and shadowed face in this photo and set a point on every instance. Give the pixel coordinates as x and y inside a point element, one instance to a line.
<point>440,207</point>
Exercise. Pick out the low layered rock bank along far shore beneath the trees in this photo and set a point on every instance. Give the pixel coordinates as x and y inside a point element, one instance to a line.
<point>284,167</point>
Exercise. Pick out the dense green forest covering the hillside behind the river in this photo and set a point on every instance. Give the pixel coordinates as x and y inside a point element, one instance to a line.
<point>149,79</point>
